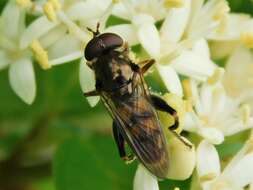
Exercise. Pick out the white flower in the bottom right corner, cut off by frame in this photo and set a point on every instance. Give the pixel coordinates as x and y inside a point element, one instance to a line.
<point>235,176</point>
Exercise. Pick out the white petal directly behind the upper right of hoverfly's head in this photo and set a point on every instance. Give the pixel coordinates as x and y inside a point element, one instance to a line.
<point>126,31</point>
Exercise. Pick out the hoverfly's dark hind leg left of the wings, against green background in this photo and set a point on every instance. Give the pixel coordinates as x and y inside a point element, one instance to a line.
<point>120,141</point>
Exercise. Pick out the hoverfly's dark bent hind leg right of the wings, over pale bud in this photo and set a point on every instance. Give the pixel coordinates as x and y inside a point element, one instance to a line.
<point>161,105</point>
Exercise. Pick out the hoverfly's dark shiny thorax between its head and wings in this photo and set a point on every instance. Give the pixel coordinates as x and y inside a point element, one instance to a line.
<point>113,72</point>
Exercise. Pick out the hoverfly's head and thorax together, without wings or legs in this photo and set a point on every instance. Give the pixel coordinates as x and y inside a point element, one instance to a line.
<point>106,58</point>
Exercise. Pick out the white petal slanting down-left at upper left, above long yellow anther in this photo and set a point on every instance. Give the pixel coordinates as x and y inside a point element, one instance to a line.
<point>35,30</point>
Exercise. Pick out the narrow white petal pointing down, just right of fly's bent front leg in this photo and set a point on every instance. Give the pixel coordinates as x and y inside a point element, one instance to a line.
<point>170,79</point>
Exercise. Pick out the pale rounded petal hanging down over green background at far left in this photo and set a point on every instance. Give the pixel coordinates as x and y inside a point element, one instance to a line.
<point>22,80</point>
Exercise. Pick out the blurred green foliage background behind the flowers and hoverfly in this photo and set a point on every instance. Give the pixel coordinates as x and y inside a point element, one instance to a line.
<point>60,142</point>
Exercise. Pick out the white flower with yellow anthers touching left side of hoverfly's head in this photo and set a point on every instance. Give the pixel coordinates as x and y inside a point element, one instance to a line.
<point>60,35</point>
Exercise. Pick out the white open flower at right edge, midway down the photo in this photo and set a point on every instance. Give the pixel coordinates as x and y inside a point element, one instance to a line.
<point>215,113</point>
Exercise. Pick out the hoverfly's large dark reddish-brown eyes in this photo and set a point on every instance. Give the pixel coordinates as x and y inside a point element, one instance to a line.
<point>98,45</point>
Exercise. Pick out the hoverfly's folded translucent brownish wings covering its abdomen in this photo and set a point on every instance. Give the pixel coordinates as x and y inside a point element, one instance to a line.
<point>138,123</point>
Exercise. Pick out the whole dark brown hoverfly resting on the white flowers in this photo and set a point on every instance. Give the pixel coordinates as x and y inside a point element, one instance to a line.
<point>121,86</point>
